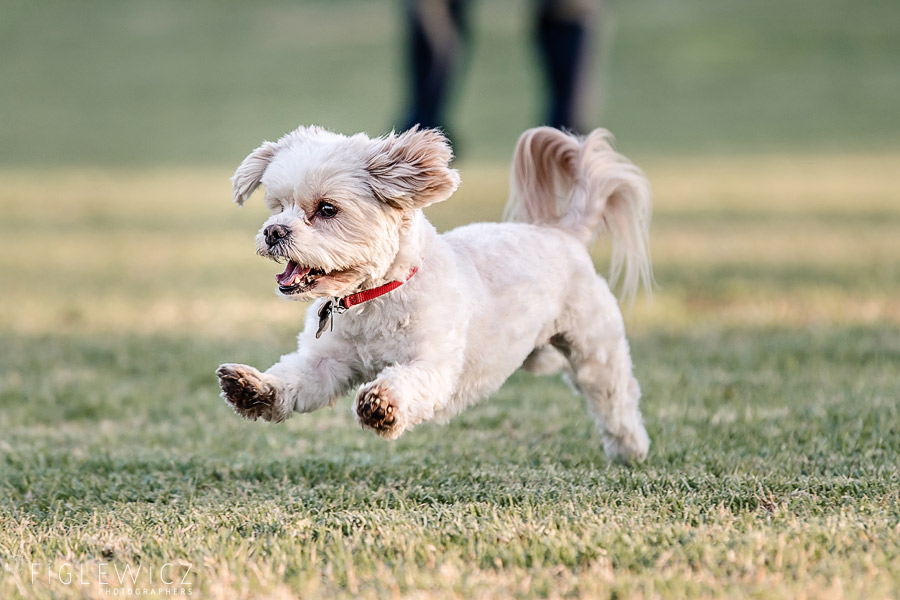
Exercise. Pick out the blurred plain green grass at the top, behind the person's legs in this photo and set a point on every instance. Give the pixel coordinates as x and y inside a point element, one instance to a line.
<point>129,83</point>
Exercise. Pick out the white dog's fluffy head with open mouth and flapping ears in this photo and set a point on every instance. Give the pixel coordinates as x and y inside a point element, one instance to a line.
<point>341,205</point>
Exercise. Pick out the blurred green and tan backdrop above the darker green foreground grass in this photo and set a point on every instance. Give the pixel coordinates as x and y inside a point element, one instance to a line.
<point>770,131</point>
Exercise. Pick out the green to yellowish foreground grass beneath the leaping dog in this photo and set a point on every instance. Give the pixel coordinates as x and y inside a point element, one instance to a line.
<point>773,471</point>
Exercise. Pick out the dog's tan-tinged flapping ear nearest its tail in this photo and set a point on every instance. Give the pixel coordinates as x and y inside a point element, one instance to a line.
<point>412,170</point>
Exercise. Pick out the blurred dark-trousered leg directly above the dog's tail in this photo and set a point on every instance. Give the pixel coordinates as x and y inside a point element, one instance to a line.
<point>563,31</point>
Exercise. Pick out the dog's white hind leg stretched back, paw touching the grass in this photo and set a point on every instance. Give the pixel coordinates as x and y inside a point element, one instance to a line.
<point>595,345</point>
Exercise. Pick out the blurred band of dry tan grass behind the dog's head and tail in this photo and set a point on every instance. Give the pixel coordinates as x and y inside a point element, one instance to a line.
<point>165,250</point>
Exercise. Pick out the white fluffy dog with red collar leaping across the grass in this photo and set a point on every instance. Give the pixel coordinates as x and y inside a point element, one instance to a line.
<point>425,324</point>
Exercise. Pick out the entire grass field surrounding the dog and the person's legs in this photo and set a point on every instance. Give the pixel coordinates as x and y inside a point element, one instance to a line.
<point>768,357</point>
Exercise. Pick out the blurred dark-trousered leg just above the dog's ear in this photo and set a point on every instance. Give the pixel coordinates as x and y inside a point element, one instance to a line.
<point>438,32</point>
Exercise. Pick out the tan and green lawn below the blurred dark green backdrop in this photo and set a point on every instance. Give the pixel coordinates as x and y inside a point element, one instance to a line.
<point>767,361</point>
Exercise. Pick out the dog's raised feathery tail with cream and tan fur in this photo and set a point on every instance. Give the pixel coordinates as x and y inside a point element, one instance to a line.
<point>582,185</point>
